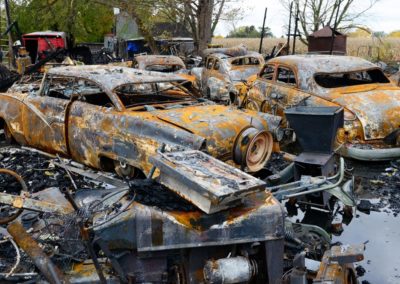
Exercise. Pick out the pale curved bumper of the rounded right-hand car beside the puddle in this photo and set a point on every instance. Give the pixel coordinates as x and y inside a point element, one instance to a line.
<point>362,154</point>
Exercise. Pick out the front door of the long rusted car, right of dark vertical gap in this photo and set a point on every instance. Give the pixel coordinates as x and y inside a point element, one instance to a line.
<point>92,124</point>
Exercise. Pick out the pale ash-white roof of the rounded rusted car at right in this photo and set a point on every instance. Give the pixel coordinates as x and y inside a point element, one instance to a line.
<point>324,63</point>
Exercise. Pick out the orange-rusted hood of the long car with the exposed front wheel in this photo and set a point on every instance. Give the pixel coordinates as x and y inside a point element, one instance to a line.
<point>219,125</point>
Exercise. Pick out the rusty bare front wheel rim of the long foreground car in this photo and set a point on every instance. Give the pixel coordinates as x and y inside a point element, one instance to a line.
<point>259,151</point>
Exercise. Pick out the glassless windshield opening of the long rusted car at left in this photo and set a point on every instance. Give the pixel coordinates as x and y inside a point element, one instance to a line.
<point>132,95</point>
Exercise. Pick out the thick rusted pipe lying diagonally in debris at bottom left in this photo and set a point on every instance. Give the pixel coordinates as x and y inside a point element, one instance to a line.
<point>50,271</point>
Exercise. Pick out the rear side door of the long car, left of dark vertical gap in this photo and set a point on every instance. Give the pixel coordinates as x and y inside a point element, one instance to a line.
<point>45,114</point>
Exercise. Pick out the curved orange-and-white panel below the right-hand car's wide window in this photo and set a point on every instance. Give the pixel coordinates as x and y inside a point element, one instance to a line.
<point>378,110</point>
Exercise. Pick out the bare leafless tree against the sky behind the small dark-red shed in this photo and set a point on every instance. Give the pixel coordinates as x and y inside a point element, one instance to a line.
<point>315,14</point>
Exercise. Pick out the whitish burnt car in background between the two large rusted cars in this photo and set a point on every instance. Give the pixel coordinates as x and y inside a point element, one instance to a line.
<point>225,71</point>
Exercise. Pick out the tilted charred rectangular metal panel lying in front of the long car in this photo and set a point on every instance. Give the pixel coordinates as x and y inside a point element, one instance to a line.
<point>204,181</point>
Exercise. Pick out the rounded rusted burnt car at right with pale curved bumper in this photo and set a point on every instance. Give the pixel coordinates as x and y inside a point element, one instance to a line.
<point>372,104</point>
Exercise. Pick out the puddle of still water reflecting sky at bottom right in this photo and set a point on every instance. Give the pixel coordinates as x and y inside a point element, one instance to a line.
<point>379,230</point>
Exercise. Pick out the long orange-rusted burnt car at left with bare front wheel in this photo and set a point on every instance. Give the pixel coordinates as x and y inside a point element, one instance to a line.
<point>117,117</point>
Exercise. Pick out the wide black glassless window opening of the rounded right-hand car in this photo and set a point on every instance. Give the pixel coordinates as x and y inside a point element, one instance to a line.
<point>346,79</point>
